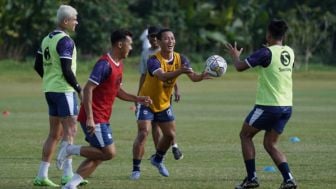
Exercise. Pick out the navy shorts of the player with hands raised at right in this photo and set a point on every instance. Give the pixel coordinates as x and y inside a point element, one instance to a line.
<point>269,117</point>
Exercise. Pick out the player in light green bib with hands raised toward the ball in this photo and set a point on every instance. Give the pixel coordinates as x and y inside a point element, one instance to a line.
<point>273,106</point>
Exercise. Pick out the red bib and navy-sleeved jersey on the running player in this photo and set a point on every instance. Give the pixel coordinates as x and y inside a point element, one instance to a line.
<point>107,75</point>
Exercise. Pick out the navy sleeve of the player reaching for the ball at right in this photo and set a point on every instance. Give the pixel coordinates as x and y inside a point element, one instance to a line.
<point>261,57</point>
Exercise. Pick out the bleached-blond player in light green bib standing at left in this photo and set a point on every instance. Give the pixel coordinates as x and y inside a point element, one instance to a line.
<point>56,63</point>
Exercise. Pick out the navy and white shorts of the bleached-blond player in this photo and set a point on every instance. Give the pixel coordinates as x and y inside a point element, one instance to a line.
<point>62,104</point>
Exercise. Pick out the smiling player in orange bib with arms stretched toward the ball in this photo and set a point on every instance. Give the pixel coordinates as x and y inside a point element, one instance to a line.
<point>163,70</point>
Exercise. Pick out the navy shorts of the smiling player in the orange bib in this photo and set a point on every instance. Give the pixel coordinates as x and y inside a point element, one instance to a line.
<point>145,113</point>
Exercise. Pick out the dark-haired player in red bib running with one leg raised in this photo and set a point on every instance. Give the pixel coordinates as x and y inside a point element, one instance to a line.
<point>103,86</point>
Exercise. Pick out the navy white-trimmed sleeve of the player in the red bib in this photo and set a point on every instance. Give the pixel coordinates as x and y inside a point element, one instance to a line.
<point>100,72</point>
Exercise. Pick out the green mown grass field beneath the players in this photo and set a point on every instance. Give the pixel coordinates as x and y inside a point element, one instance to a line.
<point>209,118</point>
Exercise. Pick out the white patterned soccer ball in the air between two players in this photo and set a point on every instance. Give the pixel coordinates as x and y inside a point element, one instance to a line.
<point>215,66</point>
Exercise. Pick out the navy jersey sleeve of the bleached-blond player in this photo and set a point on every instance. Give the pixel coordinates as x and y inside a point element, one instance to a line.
<point>65,47</point>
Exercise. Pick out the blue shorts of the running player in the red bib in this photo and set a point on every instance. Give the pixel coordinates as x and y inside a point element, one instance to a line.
<point>102,136</point>
